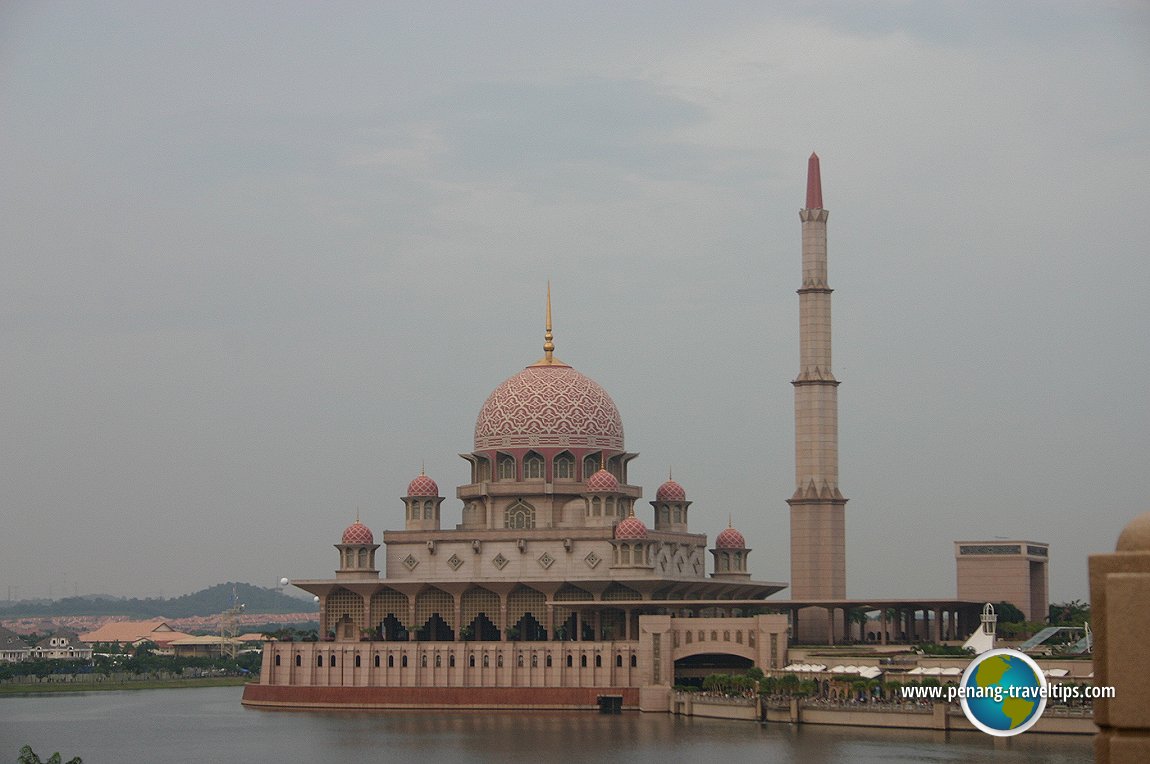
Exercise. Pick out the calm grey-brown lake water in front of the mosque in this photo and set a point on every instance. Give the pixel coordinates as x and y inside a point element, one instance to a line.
<point>210,725</point>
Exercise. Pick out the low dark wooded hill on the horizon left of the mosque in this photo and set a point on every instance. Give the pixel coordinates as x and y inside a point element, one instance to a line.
<point>206,602</point>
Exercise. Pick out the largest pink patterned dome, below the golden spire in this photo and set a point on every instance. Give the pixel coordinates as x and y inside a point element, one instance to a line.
<point>549,406</point>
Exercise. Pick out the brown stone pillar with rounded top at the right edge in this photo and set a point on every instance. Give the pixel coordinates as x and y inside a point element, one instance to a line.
<point>1120,593</point>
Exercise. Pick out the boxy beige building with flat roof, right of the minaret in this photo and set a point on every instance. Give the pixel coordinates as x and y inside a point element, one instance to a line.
<point>1006,571</point>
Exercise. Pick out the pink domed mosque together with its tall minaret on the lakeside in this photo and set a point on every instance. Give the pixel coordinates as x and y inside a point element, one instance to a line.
<point>553,591</point>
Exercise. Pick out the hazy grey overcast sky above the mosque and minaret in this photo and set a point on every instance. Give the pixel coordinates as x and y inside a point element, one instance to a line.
<point>260,262</point>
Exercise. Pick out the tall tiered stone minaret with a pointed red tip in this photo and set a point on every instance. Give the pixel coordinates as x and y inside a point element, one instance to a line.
<point>818,533</point>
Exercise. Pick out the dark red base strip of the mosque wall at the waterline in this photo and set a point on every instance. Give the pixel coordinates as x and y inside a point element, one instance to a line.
<point>463,699</point>
